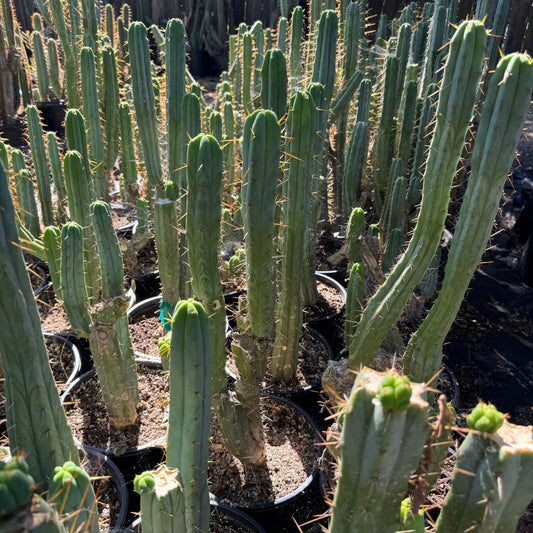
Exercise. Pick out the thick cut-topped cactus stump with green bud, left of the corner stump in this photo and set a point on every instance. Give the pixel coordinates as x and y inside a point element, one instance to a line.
<point>384,426</point>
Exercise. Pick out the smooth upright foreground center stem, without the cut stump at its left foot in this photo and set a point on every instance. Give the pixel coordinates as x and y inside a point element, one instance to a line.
<point>190,408</point>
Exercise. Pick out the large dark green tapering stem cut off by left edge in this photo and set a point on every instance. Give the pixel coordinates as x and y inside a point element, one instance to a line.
<point>36,422</point>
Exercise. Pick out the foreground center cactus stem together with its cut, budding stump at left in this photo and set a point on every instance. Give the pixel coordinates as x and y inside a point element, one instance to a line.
<point>175,497</point>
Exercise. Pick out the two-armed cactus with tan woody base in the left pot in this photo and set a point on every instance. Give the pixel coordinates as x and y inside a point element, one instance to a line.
<point>105,322</point>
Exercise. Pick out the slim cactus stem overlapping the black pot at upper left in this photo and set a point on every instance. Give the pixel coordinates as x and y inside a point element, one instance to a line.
<point>40,164</point>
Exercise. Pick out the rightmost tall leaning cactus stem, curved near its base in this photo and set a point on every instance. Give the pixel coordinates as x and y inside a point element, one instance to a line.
<point>500,126</point>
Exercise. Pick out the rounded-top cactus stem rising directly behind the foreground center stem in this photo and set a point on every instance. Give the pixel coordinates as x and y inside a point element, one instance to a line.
<point>205,185</point>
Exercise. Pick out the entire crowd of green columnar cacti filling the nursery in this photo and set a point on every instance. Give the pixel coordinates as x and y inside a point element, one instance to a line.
<point>318,123</point>
